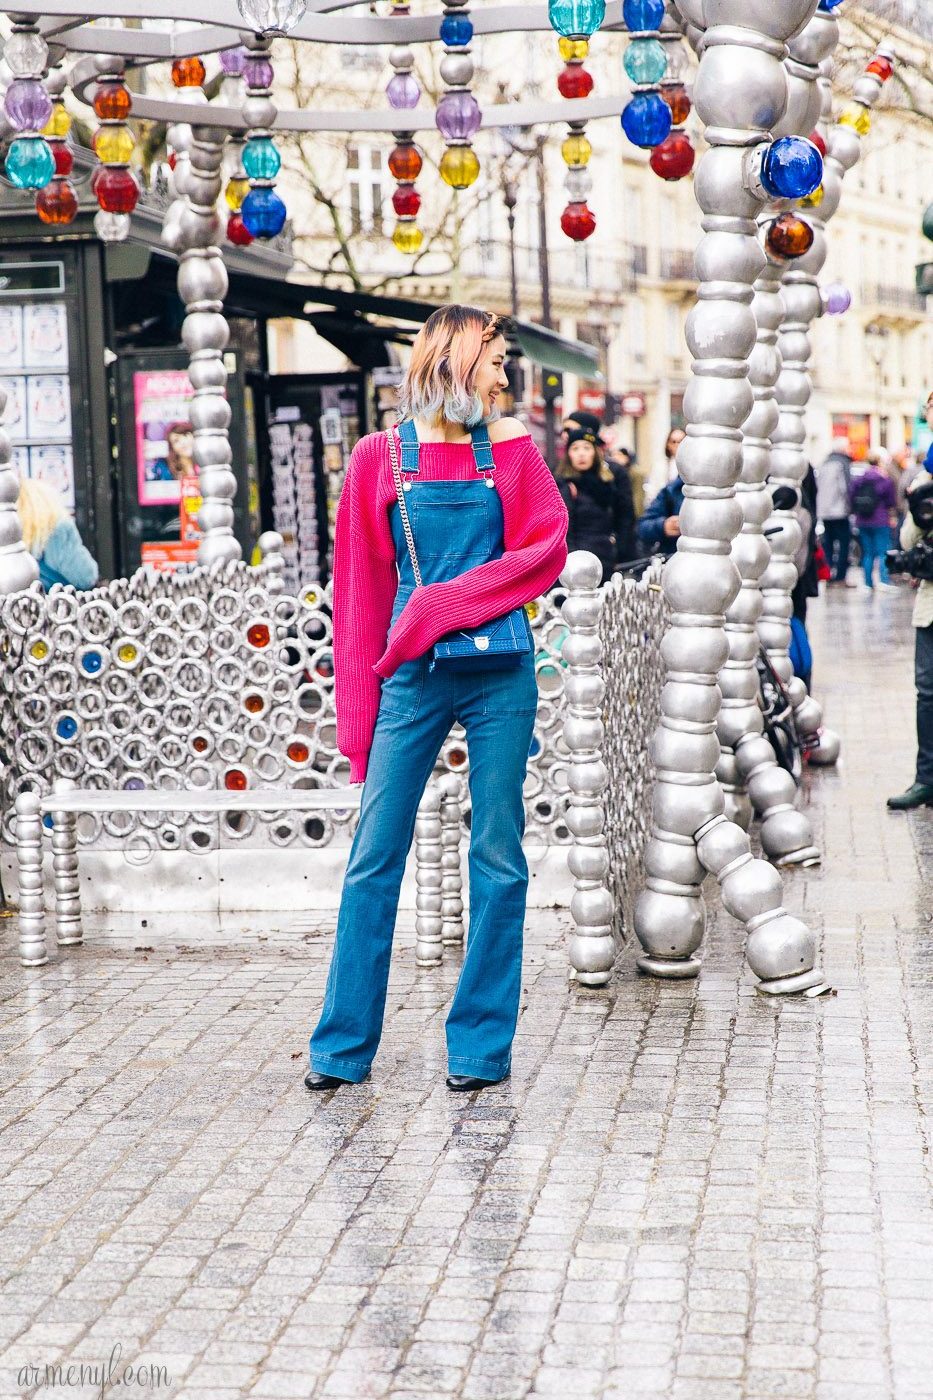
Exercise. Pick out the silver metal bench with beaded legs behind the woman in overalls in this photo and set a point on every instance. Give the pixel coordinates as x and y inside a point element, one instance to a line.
<point>439,899</point>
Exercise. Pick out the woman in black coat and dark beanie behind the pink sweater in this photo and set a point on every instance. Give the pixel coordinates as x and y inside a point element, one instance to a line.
<point>599,500</point>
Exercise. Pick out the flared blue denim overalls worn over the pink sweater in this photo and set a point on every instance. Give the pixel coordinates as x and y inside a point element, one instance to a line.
<point>457,526</point>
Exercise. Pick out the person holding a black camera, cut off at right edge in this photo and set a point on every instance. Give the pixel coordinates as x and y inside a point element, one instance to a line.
<point>915,558</point>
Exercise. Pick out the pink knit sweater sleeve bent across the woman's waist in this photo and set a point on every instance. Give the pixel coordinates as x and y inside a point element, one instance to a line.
<point>536,531</point>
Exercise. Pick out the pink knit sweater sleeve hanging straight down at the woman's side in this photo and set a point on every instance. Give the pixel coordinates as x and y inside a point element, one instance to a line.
<point>365,586</point>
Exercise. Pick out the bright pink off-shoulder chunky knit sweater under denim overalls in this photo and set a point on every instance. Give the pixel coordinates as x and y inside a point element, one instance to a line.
<point>366,576</point>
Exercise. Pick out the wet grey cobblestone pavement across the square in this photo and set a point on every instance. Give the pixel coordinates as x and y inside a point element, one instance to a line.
<point>686,1191</point>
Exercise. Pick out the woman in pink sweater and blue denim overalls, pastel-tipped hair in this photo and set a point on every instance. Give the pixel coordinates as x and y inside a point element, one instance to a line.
<point>483,554</point>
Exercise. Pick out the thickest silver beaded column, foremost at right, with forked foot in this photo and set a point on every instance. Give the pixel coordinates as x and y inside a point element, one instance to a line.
<point>740,94</point>
